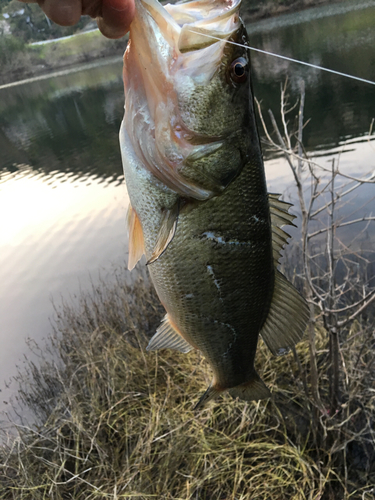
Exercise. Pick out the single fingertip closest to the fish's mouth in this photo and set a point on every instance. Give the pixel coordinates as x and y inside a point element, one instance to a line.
<point>116,17</point>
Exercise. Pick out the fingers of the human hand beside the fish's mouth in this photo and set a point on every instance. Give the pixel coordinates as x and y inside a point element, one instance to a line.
<point>113,17</point>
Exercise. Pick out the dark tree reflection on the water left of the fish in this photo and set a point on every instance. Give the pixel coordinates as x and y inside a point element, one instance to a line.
<point>69,126</point>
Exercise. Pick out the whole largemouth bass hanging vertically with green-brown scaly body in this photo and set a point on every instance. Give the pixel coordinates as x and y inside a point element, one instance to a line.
<point>199,208</point>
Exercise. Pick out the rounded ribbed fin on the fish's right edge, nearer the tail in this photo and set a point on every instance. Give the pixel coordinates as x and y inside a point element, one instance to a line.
<point>287,317</point>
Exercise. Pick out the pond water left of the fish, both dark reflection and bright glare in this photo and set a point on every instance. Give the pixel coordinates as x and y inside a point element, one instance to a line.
<point>62,191</point>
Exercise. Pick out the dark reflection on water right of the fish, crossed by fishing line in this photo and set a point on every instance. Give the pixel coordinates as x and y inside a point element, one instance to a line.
<point>334,37</point>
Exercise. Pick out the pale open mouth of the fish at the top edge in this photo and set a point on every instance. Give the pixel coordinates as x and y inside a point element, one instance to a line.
<point>162,34</point>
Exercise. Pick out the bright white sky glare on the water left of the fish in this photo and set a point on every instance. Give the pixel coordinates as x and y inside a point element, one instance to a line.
<point>59,231</point>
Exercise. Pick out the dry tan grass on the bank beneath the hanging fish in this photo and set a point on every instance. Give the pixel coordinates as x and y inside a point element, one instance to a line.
<point>116,421</point>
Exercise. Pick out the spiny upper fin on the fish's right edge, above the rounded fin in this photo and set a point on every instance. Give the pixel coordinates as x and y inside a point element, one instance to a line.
<point>280,217</point>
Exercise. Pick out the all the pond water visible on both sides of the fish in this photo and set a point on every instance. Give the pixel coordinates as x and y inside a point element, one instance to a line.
<point>62,196</point>
